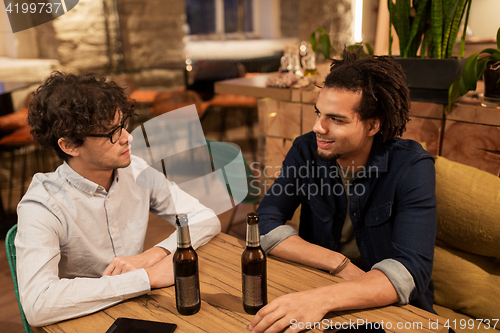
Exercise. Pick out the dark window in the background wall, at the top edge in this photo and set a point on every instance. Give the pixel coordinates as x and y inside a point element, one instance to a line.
<point>206,17</point>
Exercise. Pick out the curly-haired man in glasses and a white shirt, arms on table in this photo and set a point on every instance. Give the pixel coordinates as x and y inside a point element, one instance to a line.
<point>81,229</point>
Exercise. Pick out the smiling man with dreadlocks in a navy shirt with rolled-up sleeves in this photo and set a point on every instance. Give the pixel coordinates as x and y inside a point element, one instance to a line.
<point>368,207</point>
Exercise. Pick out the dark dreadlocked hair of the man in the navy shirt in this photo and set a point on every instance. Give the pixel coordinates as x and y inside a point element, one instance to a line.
<point>385,94</point>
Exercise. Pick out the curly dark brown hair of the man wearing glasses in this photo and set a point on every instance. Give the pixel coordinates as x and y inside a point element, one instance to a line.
<point>74,106</point>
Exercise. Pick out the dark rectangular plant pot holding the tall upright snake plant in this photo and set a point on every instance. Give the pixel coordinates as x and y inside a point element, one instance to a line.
<point>429,79</point>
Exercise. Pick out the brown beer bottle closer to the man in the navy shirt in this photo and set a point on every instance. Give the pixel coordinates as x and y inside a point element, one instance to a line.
<point>253,268</point>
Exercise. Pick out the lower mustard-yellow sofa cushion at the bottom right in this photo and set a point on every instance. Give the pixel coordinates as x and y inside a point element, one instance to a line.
<point>466,282</point>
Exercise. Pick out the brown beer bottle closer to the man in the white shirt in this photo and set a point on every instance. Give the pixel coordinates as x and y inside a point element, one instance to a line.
<point>187,282</point>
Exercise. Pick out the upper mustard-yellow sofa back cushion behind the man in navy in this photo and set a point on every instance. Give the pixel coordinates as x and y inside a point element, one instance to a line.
<point>468,202</point>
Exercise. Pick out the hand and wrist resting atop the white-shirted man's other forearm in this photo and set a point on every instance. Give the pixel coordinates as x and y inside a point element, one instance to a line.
<point>120,265</point>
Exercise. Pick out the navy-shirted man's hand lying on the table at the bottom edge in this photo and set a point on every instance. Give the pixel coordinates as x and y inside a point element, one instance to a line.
<point>301,307</point>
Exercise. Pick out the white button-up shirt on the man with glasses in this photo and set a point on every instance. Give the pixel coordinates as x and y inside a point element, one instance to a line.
<point>70,229</point>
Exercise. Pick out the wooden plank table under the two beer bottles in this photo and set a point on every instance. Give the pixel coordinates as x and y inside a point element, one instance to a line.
<point>222,309</point>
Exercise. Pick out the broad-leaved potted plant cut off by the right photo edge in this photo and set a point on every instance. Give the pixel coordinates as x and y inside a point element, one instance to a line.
<point>485,62</point>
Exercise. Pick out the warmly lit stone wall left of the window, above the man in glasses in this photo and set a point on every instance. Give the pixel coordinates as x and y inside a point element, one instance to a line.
<point>144,38</point>
